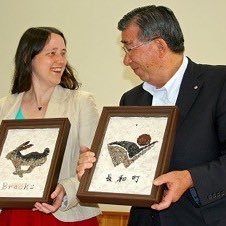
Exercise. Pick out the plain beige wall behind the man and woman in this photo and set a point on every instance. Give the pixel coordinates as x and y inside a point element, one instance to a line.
<point>94,42</point>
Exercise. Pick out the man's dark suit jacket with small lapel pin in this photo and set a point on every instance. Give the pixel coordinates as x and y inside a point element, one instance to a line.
<point>200,147</point>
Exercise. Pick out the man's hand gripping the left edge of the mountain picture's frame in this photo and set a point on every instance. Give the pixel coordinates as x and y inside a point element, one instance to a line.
<point>86,160</point>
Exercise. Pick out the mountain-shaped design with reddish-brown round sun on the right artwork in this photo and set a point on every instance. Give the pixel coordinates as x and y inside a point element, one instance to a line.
<point>127,152</point>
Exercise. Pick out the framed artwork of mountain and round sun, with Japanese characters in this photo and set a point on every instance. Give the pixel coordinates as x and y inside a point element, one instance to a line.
<point>133,146</point>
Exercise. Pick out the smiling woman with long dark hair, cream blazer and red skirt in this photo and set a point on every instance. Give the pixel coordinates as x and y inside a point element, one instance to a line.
<point>44,87</point>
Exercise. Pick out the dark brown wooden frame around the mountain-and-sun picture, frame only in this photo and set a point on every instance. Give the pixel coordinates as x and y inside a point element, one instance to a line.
<point>171,112</point>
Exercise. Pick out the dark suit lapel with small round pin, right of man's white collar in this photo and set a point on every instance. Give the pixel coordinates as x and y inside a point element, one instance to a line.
<point>189,90</point>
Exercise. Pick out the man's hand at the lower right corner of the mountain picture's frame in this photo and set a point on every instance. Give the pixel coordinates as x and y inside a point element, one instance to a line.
<point>177,182</point>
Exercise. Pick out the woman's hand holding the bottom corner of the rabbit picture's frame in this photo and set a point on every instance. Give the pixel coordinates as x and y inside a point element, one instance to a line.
<point>57,197</point>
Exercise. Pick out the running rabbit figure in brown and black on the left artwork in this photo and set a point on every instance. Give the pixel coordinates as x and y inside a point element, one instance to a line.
<point>31,160</point>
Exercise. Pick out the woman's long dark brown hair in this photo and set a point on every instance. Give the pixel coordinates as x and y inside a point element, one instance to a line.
<point>31,43</point>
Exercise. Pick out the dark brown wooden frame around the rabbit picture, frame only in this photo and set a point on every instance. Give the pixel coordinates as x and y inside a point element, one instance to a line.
<point>64,126</point>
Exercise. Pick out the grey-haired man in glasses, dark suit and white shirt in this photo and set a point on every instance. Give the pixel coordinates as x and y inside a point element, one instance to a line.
<point>196,182</point>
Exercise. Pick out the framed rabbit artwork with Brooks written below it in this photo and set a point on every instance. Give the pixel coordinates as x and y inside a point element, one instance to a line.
<point>31,153</point>
